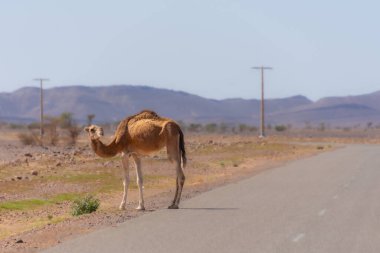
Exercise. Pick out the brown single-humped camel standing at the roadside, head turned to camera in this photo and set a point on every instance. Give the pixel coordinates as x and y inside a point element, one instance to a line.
<point>140,135</point>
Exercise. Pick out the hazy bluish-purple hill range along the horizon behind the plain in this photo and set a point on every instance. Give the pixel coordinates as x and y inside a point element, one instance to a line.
<point>113,103</point>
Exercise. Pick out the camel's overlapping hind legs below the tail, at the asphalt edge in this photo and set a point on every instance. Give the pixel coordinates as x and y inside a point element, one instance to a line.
<point>174,155</point>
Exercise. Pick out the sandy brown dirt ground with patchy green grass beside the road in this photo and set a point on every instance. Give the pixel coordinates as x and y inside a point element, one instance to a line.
<point>39,184</point>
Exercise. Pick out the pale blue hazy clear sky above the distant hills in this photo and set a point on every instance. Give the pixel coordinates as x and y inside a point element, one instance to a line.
<point>206,47</point>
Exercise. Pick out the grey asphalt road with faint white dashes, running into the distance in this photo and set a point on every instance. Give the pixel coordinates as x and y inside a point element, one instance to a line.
<point>326,203</point>
